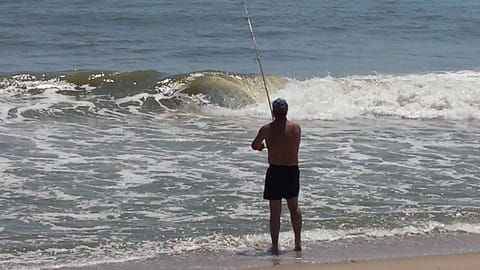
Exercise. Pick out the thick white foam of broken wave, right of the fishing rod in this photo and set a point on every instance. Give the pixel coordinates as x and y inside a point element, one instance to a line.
<point>449,95</point>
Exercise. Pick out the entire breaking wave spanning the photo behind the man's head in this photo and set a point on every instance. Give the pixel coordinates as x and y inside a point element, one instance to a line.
<point>447,95</point>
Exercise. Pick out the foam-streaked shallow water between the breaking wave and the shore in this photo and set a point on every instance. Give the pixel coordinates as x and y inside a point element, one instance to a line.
<point>131,188</point>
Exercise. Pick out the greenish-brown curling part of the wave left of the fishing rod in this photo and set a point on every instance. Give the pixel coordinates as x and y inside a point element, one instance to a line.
<point>111,93</point>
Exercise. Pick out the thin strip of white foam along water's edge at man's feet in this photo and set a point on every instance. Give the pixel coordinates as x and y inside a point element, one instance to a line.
<point>231,243</point>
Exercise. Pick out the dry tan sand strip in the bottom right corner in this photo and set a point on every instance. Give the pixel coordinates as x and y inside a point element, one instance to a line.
<point>466,261</point>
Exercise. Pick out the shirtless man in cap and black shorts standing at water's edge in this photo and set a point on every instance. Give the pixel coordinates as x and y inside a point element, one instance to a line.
<point>282,138</point>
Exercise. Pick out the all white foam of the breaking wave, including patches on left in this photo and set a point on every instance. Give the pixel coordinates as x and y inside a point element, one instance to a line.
<point>448,95</point>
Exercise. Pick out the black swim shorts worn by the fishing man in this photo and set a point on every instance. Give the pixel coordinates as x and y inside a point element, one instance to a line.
<point>281,182</point>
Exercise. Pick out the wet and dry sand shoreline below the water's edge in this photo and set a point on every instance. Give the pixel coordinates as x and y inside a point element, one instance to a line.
<point>429,252</point>
